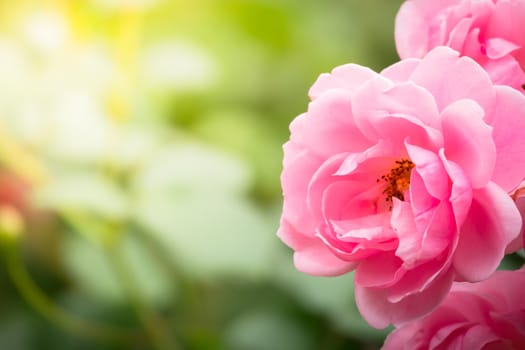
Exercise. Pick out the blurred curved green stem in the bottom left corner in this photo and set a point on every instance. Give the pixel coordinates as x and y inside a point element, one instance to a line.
<point>43,304</point>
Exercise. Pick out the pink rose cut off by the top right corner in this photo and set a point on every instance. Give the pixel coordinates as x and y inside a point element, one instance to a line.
<point>489,31</point>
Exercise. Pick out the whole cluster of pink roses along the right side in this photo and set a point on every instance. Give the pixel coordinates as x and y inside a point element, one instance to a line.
<point>413,177</point>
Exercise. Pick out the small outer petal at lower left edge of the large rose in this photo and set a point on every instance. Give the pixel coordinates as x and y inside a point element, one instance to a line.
<point>317,259</point>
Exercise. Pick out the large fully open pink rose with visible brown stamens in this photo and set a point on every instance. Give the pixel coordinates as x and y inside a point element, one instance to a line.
<point>404,176</point>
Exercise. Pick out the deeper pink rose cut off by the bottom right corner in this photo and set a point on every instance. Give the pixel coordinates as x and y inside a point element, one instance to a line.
<point>485,315</point>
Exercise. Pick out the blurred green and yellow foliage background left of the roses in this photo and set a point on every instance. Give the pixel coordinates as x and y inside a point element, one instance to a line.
<point>140,154</point>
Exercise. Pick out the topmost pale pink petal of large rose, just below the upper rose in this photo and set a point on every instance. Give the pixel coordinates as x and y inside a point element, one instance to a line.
<point>469,79</point>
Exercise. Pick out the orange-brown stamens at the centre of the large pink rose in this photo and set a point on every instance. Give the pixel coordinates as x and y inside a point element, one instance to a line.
<point>397,180</point>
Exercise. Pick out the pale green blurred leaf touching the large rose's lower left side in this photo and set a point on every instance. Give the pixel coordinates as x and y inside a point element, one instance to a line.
<point>211,235</point>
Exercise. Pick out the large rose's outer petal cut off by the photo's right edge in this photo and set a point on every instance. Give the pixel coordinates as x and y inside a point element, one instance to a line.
<point>508,122</point>
